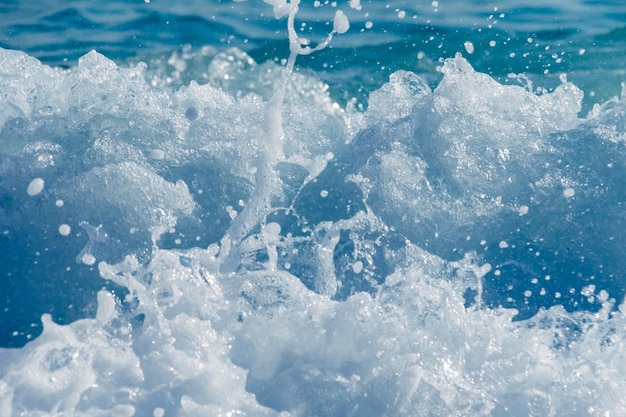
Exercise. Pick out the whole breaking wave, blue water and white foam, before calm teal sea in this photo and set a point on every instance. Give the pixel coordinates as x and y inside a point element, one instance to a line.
<point>385,274</point>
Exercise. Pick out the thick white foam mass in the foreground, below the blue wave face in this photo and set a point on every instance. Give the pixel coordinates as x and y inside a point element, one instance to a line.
<point>413,345</point>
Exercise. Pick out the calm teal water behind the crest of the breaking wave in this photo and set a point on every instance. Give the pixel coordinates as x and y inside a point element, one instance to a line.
<point>584,39</point>
